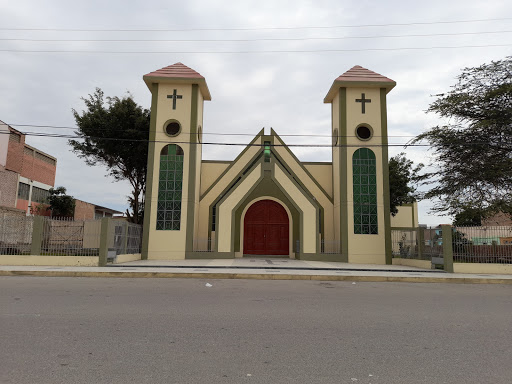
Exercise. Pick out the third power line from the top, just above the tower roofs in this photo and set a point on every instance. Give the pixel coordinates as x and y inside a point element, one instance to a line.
<point>257,52</point>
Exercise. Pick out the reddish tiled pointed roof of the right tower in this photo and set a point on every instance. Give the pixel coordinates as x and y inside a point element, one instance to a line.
<point>359,77</point>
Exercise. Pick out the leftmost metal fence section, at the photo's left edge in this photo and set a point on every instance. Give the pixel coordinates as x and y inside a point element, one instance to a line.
<point>15,234</point>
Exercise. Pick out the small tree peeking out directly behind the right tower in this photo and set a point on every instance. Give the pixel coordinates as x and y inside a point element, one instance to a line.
<point>403,176</point>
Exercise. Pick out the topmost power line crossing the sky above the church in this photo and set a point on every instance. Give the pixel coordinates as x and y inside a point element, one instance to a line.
<point>254,28</point>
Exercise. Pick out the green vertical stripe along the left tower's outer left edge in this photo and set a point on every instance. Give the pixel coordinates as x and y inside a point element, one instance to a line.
<point>149,221</point>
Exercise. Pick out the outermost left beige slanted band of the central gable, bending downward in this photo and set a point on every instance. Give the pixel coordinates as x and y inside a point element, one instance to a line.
<point>222,183</point>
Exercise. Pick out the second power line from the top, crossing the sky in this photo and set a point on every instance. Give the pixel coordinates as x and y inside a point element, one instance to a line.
<point>252,40</point>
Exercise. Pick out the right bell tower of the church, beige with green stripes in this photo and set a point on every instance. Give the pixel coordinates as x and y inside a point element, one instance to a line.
<point>360,165</point>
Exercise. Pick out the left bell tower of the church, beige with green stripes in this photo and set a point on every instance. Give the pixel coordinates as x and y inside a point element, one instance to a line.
<point>174,161</point>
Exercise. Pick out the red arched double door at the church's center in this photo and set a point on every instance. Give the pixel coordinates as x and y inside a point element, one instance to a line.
<point>266,229</point>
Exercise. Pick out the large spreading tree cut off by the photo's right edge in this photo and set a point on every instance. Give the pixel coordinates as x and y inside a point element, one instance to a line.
<point>472,154</point>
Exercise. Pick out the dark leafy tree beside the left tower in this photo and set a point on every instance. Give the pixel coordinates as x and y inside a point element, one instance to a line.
<point>114,133</point>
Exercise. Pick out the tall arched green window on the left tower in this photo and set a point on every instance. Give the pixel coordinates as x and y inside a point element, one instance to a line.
<point>168,214</point>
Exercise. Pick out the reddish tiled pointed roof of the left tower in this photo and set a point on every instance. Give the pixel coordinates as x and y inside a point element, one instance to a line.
<point>178,73</point>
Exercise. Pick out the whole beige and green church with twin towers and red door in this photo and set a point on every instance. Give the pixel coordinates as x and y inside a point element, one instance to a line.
<point>267,202</point>
